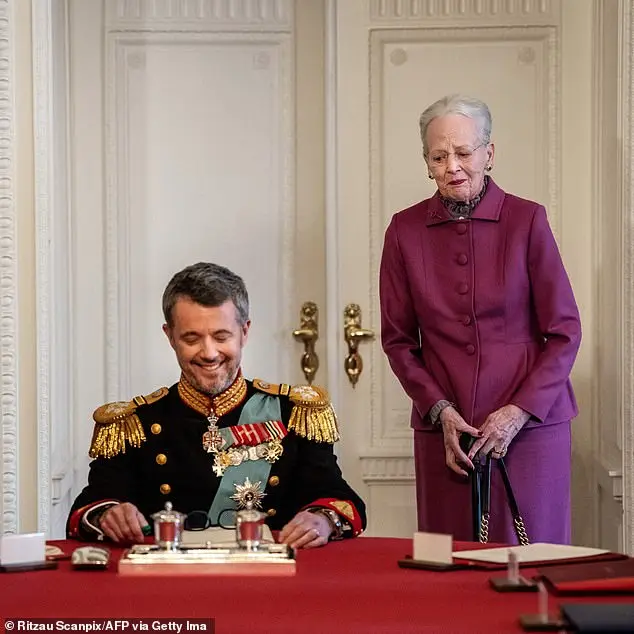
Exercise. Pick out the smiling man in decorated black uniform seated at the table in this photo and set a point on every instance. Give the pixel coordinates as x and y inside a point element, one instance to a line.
<point>214,441</point>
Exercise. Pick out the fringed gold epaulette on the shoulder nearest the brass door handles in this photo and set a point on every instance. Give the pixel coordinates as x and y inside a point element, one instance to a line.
<point>313,415</point>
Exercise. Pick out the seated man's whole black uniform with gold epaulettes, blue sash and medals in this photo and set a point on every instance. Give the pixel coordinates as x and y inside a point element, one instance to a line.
<point>212,454</point>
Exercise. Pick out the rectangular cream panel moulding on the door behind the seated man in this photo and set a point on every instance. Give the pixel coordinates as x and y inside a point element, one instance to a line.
<point>127,53</point>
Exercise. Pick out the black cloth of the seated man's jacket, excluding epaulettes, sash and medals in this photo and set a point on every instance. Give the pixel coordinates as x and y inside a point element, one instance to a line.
<point>306,474</point>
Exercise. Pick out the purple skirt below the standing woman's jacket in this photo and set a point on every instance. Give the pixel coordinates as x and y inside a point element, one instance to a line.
<point>538,462</point>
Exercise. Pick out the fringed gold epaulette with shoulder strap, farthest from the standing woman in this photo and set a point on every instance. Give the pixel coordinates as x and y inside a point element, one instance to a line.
<point>118,423</point>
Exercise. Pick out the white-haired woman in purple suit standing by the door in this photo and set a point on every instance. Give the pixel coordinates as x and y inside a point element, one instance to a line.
<point>480,326</point>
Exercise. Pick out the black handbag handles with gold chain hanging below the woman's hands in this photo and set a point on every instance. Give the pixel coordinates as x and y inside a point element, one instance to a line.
<point>481,496</point>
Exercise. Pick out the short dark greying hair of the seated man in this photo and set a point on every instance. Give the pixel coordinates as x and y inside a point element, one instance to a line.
<point>209,285</point>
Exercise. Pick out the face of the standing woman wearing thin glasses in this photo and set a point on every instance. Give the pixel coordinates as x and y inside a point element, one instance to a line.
<point>456,157</point>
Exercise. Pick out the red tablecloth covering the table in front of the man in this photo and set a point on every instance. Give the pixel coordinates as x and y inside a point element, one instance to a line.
<point>348,587</point>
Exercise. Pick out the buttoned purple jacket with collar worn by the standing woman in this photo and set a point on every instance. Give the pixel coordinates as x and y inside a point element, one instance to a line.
<point>480,311</point>
